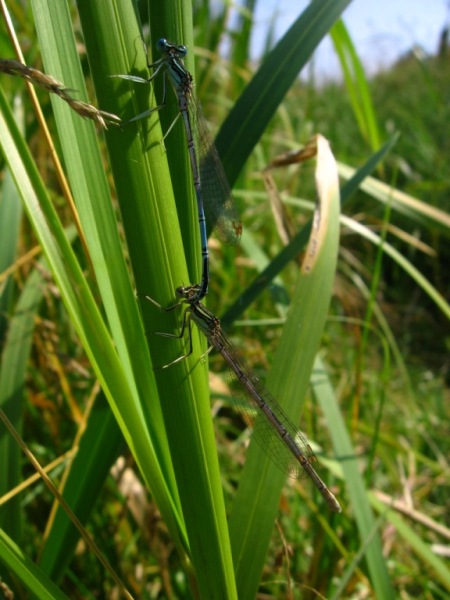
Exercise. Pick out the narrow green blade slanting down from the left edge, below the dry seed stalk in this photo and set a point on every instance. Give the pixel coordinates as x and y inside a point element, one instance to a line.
<point>69,278</point>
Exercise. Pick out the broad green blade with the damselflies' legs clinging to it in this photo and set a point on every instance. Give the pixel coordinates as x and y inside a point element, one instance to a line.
<point>149,215</point>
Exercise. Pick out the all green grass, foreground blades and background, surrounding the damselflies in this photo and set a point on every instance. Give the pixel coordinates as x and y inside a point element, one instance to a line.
<point>135,449</point>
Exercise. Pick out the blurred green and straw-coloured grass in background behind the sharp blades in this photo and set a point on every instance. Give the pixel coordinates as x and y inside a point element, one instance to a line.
<point>389,365</point>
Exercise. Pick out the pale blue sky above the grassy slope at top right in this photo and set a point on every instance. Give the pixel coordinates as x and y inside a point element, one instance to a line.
<point>381,30</point>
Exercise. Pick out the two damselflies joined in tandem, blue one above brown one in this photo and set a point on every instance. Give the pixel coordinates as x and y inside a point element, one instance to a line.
<point>272,429</point>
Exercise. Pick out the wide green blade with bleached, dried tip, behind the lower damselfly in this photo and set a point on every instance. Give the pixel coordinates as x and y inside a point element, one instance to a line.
<point>256,503</point>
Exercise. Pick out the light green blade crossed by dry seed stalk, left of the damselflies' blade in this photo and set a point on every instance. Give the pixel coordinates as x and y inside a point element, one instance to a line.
<point>145,431</point>
